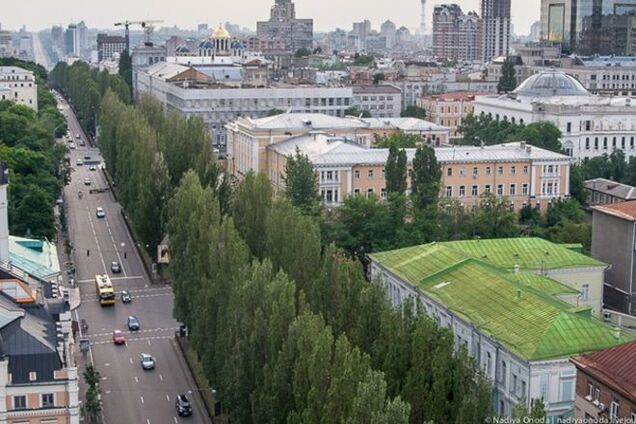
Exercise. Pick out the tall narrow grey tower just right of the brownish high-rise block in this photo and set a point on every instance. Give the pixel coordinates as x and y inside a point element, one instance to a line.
<point>495,15</point>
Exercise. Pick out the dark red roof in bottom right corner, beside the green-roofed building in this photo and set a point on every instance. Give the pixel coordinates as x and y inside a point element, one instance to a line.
<point>615,367</point>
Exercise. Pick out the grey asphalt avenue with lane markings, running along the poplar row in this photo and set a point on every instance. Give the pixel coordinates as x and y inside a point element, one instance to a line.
<point>130,394</point>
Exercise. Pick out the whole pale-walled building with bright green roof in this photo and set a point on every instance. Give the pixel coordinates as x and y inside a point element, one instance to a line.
<point>503,301</point>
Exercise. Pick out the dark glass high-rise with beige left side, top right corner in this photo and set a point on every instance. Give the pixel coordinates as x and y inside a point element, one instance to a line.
<point>603,27</point>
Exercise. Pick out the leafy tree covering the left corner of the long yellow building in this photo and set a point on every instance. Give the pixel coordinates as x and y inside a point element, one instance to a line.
<point>301,185</point>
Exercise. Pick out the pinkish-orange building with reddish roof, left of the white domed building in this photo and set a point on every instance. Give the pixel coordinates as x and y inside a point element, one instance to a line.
<point>449,109</point>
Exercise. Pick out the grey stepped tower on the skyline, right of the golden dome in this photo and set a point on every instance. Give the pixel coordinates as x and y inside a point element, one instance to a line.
<point>283,25</point>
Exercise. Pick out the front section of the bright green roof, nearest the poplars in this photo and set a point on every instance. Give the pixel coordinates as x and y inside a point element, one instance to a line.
<point>518,311</point>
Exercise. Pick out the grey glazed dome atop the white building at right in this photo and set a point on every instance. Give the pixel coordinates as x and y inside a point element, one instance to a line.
<point>551,83</point>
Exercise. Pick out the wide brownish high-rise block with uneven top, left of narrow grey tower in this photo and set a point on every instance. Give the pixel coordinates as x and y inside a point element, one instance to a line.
<point>456,36</point>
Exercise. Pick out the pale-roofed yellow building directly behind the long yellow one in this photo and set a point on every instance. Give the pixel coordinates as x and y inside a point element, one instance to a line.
<point>248,138</point>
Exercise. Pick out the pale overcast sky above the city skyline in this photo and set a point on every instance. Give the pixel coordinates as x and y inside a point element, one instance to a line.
<point>327,14</point>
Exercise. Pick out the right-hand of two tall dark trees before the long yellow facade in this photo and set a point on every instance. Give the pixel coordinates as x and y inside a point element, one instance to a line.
<point>426,178</point>
